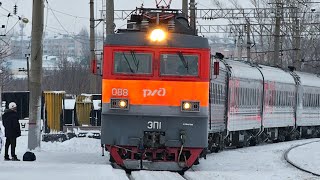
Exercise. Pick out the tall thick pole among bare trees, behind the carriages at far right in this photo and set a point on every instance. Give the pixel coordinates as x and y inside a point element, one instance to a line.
<point>277,34</point>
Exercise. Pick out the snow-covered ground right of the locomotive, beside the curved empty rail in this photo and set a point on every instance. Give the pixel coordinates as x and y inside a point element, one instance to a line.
<point>259,162</point>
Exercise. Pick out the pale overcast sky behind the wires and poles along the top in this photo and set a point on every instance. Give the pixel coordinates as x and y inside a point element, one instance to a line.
<point>79,9</point>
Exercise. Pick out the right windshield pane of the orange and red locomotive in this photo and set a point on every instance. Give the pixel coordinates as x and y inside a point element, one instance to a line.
<point>179,64</point>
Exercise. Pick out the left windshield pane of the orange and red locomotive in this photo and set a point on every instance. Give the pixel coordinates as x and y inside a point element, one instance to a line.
<point>132,63</point>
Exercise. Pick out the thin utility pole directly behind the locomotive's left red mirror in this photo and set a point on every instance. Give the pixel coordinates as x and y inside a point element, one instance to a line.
<point>93,81</point>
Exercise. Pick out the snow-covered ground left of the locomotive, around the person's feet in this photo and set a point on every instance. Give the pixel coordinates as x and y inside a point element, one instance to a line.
<point>78,158</point>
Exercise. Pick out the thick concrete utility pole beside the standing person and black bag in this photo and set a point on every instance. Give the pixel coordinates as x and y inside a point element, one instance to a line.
<point>35,75</point>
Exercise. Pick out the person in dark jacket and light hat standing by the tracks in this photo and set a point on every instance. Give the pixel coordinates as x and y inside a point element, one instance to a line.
<point>12,130</point>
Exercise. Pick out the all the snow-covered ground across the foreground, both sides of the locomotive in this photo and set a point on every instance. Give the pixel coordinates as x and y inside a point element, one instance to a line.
<point>80,159</point>
